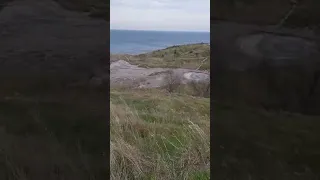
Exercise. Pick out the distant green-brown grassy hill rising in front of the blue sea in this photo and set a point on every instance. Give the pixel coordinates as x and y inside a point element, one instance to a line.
<point>184,56</point>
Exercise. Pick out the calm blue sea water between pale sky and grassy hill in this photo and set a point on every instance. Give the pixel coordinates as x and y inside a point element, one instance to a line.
<point>135,42</point>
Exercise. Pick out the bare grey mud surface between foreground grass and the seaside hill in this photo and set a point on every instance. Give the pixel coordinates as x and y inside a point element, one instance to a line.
<point>124,74</point>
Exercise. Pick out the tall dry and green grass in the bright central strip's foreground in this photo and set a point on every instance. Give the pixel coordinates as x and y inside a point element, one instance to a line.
<point>162,136</point>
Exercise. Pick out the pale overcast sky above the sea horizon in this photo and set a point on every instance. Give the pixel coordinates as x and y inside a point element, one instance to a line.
<point>169,15</point>
